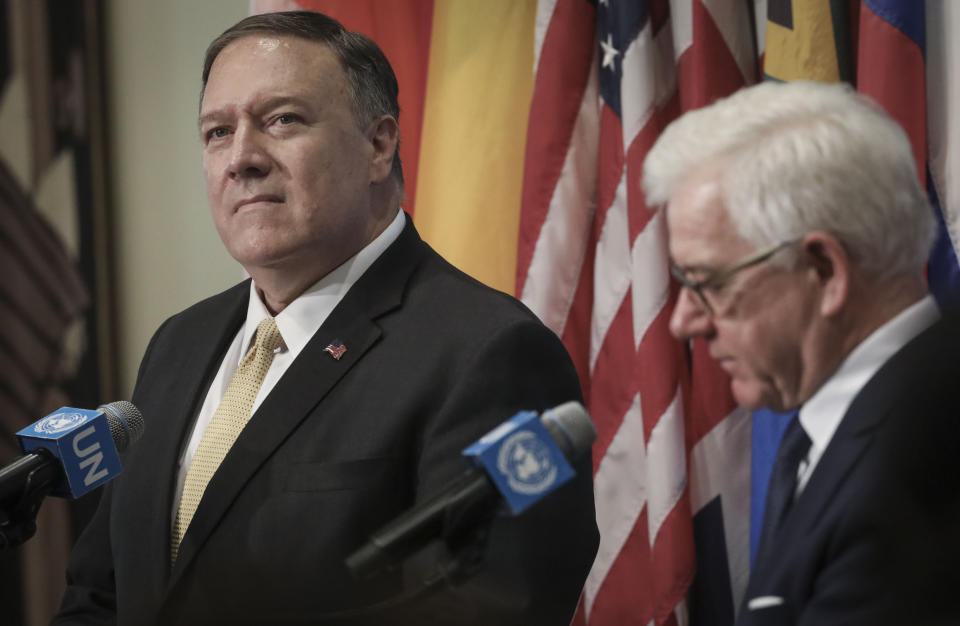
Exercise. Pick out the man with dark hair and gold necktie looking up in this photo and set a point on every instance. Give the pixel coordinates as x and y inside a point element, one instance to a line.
<point>382,363</point>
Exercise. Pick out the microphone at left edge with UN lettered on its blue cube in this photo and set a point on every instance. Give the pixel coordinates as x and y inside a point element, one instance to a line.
<point>70,452</point>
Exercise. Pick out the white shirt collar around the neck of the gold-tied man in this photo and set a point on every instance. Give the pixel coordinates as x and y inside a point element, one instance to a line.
<point>301,319</point>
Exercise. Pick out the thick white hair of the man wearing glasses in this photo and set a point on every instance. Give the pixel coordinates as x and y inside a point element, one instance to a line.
<point>796,157</point>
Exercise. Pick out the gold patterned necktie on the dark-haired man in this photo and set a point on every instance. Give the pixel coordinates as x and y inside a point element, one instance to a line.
<point>229,419</point>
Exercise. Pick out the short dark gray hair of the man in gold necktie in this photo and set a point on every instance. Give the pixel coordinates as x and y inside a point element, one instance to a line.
<point>373,84</point>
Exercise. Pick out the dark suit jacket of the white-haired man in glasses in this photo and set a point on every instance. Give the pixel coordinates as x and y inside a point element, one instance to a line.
<point>874,538</point>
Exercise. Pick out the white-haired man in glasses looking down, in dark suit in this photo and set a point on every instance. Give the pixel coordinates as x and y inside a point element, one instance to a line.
<point>799,231</point>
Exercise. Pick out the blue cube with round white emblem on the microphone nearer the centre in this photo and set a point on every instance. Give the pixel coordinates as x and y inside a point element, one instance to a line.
<point>522,460</point>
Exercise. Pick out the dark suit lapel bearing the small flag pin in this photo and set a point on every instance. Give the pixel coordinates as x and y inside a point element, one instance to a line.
<point>308,380</point>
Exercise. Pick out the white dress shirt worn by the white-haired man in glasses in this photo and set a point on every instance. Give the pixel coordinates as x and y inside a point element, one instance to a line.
<point>821,414</point>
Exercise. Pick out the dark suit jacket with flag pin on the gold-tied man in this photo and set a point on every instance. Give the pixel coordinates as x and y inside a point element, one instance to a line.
<point>338,448</point>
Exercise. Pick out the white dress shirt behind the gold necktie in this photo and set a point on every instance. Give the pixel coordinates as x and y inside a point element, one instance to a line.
<point>297,324</point>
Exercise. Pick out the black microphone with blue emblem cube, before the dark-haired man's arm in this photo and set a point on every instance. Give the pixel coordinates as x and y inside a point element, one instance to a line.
<point>520,461</point>
